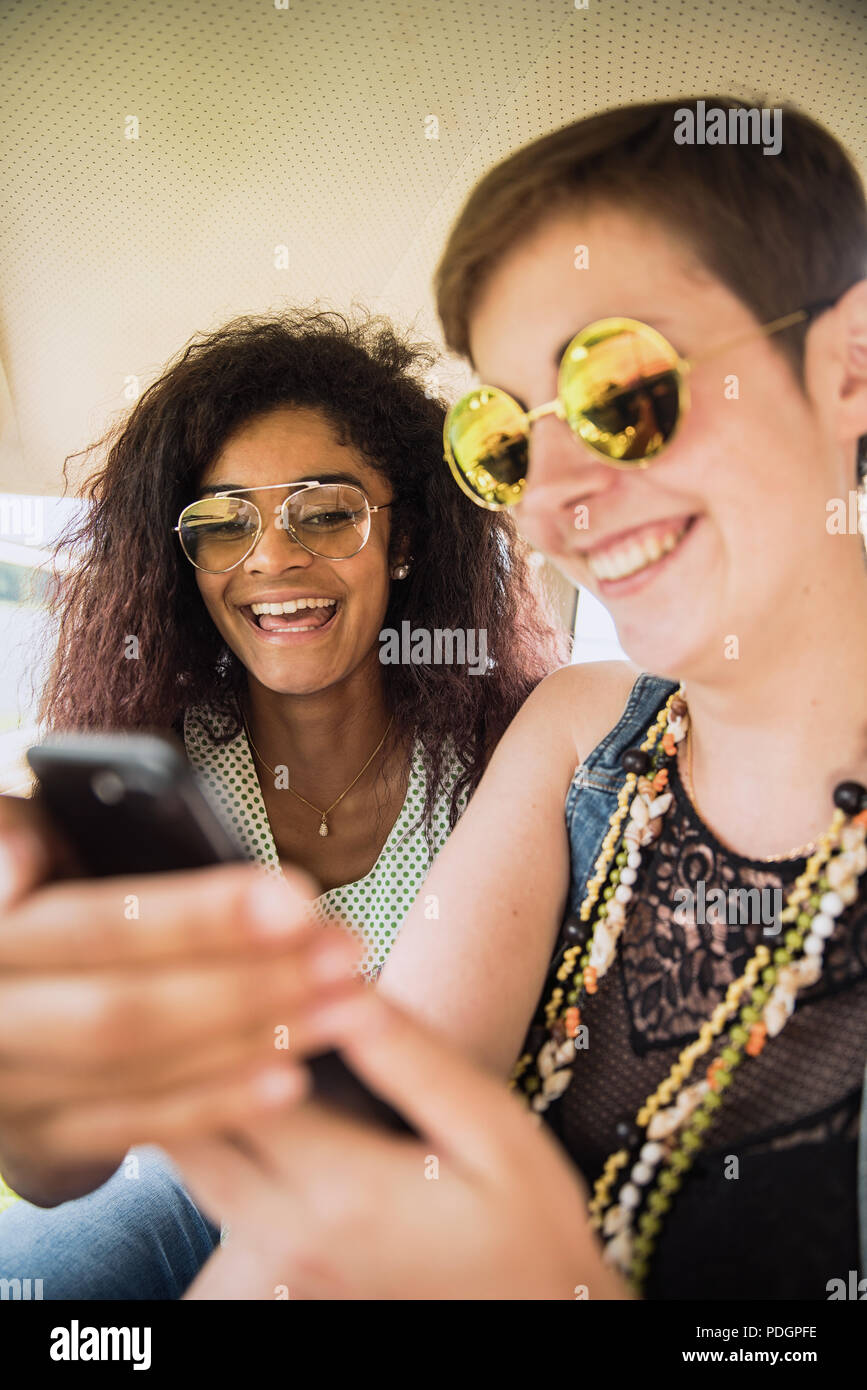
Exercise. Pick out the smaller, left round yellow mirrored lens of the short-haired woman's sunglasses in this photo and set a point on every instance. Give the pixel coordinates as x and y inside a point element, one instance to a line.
<point>486,444</point>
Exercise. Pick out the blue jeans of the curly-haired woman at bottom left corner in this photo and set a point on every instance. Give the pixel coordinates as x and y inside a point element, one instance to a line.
<point>135,1238</point>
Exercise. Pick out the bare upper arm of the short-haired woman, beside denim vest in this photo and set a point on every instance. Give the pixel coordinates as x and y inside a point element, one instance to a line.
<point>472,957</point>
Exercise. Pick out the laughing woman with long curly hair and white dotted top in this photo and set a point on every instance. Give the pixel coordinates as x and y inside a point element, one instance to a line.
<point>274,502</point>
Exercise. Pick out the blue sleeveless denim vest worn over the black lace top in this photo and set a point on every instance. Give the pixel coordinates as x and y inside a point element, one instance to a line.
<point>590,804</point>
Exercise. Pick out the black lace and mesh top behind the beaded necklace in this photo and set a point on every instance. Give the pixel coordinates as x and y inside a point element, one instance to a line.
<point>786,1220</point>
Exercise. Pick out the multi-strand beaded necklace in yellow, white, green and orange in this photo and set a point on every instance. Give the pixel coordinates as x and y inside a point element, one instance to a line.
<point>641,1179</point>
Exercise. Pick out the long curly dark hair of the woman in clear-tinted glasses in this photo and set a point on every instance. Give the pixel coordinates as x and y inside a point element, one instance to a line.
<point>130,578</point>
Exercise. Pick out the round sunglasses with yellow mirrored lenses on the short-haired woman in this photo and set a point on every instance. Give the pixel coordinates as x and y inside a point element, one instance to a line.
<point>622,389</point>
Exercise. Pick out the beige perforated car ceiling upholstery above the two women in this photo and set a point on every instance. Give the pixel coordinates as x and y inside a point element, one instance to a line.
<point>304,126</point>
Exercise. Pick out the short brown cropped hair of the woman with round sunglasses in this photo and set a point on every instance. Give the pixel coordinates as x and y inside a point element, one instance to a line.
<point>780,231</point>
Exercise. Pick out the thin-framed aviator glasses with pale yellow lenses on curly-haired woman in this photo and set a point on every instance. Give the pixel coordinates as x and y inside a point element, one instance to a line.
<point>329,519</point>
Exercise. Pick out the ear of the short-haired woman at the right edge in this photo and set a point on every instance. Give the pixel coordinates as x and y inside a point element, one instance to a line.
<point>836,366</point>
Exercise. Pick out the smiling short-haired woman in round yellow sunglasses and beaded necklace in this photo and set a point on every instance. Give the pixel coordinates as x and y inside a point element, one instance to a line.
<point>673,343</point>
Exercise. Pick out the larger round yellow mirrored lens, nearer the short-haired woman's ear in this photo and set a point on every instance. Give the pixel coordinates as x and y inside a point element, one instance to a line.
<point>622,390</point>
